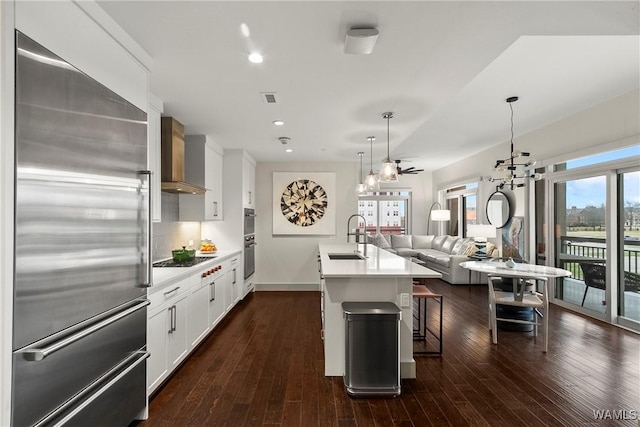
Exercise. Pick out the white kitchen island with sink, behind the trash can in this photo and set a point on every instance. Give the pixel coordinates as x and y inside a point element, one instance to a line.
<point>380,277</point>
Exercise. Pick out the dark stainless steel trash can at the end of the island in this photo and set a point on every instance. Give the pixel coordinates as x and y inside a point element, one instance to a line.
<point>372,349</point>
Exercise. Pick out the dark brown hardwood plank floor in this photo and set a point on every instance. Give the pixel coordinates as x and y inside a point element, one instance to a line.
<point>263,366</point>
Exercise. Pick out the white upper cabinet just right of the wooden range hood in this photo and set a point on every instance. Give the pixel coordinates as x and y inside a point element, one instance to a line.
<point>203,167</point>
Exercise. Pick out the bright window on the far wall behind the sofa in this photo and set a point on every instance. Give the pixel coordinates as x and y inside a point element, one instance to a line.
<point>393,206</point>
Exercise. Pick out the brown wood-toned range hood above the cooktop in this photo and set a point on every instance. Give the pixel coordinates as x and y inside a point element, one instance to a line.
<point>172,156</point>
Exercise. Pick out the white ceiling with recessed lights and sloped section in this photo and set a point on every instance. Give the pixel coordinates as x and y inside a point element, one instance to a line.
<point>444,68</point>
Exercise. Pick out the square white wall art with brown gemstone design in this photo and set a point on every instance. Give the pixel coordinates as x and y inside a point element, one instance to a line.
<point>304,203</point>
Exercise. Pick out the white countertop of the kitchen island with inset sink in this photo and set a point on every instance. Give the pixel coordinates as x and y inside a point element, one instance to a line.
<point>379,263</point>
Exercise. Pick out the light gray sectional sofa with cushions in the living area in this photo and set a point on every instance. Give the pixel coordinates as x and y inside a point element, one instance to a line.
<point>440,253</point>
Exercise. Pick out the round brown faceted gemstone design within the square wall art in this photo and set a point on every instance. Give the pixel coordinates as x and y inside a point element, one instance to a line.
<point>303,202</point>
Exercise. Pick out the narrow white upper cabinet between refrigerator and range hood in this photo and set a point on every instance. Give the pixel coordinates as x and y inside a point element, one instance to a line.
<point>153,158</point>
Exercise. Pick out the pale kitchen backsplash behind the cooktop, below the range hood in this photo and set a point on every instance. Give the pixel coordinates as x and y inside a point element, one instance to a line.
<point>170,233</point>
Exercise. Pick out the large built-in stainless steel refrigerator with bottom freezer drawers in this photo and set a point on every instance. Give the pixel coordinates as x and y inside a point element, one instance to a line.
<point>81,247</point>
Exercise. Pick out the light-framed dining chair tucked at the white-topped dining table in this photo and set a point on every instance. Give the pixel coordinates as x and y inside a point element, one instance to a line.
<point>521,295</point>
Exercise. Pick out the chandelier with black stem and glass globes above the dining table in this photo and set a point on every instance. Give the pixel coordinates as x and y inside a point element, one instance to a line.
<point>514,171</point>
